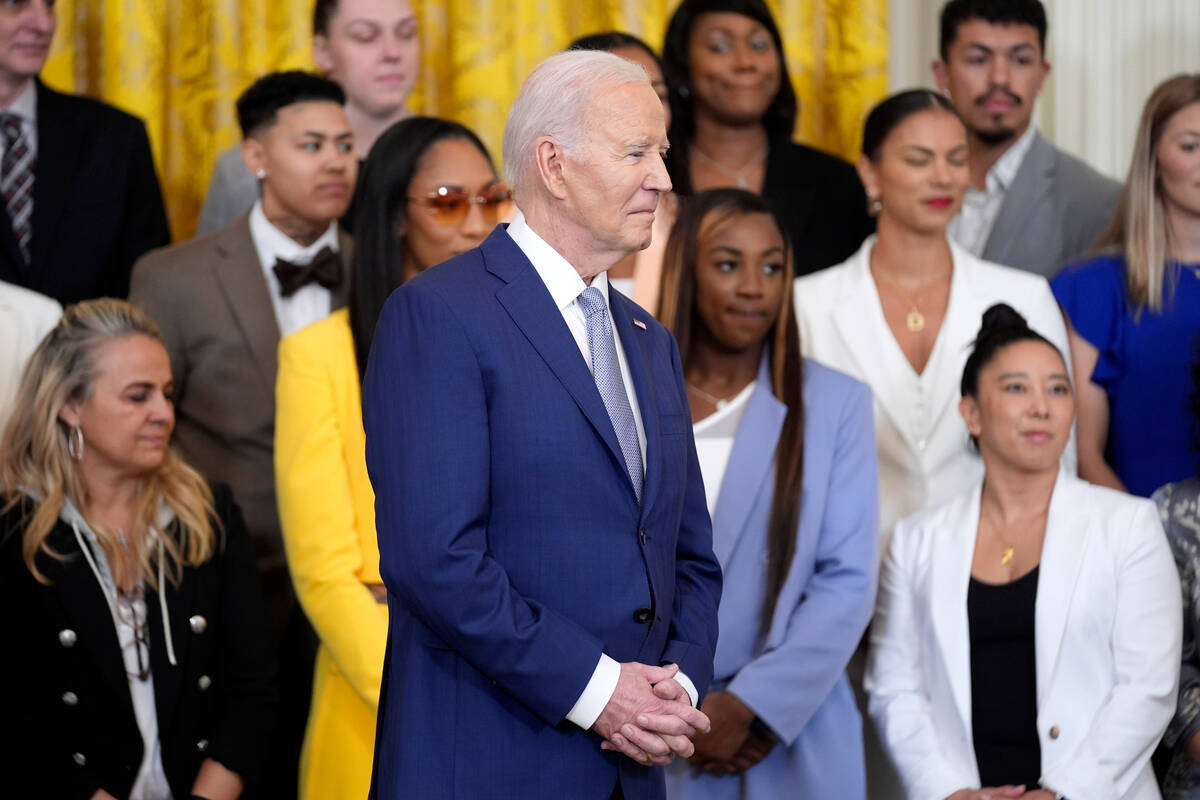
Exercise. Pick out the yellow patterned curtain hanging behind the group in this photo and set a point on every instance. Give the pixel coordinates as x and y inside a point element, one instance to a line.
<point>181,65</point>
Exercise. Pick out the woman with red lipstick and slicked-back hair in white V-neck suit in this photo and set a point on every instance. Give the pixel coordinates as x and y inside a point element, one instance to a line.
<point>901,314</point>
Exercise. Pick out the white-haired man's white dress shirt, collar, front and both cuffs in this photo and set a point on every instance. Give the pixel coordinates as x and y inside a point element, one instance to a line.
<point>566,286</point>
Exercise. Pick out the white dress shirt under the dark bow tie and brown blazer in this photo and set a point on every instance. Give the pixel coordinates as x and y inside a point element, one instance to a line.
<point>313,302</point>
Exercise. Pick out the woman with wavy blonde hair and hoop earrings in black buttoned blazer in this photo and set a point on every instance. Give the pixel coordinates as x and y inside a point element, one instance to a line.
<point>135,640</point>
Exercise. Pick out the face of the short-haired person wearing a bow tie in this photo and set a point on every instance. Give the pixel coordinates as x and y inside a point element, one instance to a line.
<point>308,157</point>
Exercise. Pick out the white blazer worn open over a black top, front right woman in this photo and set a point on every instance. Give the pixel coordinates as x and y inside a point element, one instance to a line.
<point>1108,627</point>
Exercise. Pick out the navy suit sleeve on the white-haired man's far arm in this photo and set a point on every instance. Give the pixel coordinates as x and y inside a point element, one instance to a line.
<point>692,642</point>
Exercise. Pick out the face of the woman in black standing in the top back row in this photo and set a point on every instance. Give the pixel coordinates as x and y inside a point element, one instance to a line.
<point>734,65</point>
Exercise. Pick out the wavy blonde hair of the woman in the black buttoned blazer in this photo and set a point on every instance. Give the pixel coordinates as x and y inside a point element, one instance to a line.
<point>37,466</point>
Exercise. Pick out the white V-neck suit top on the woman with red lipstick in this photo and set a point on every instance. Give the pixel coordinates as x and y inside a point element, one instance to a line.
<point>926,458</point>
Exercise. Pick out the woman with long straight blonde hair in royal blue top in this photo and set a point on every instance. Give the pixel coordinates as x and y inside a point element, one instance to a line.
<point>1136,309</point>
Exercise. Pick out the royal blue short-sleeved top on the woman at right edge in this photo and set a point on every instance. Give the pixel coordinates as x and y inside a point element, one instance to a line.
<point>1144,366</point>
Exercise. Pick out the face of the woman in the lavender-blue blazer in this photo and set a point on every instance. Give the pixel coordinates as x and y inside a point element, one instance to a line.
<point>740,280</point>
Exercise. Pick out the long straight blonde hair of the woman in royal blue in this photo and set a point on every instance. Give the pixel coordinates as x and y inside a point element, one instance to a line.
<point>1139,228</point>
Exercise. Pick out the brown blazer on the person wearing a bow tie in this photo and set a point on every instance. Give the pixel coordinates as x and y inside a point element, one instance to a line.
<point>211,299</point>
